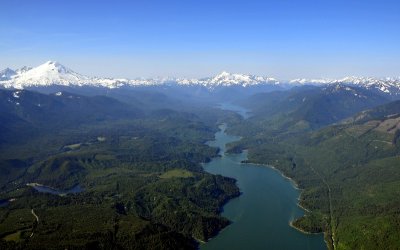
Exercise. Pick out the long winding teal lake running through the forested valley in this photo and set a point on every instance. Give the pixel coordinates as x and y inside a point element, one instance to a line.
<point>261,215</point>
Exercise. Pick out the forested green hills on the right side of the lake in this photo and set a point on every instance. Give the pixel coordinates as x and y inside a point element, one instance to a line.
<point>348,169</point>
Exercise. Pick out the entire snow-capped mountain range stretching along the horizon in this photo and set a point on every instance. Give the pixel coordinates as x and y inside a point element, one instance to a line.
<point>53,73</point>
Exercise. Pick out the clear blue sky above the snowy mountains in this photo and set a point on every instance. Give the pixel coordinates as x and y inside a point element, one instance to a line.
<point>197,38</point>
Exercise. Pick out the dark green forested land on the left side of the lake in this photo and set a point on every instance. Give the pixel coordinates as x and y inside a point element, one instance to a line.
<point>139,168</point>
